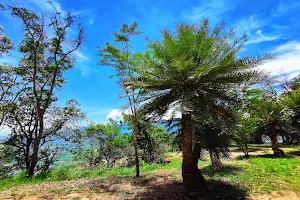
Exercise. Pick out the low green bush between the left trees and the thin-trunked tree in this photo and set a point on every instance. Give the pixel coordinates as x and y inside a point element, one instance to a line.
<point>104,142</point>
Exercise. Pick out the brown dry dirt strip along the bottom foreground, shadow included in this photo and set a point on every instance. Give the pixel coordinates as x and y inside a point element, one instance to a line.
<point>158,185</point>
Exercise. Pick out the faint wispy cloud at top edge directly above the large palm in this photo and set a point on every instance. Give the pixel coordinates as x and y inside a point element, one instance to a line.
<point>212,8</point>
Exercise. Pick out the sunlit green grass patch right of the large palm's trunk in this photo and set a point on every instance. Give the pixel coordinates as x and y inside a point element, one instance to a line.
<point>262,174</point>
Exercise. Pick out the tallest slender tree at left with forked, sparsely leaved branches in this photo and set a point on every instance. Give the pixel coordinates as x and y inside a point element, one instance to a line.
<point>45,58</point>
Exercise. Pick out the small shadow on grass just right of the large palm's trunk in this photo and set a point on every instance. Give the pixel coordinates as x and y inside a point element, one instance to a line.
<point>227,169</point>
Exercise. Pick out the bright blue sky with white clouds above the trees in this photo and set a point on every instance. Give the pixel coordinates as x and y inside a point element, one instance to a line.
<point>273,26</point>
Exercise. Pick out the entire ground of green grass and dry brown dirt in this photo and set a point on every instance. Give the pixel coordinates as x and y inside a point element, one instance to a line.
<point>260,173</point>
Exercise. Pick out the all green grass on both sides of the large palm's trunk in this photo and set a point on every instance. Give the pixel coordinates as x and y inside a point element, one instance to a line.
<point>257,174</point>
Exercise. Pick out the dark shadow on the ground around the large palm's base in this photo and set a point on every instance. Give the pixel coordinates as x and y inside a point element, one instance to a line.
<point>174,190</point>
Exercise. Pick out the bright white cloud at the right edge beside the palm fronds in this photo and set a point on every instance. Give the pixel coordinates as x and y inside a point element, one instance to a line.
<point>287,61</point>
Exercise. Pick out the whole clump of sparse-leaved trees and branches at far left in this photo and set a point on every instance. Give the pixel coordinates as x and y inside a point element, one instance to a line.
<point>28,90</point>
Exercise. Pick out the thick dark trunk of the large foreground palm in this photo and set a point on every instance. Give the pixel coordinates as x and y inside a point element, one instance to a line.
<point>192,177</point>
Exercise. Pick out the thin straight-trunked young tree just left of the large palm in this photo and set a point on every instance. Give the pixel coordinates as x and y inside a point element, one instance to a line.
<point>125,62</point>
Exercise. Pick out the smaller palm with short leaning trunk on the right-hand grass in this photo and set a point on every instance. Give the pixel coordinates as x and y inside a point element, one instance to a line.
<point>266,112</point>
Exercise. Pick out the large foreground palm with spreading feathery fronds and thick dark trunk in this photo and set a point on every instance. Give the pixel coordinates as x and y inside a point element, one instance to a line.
<point>194,65</point>
